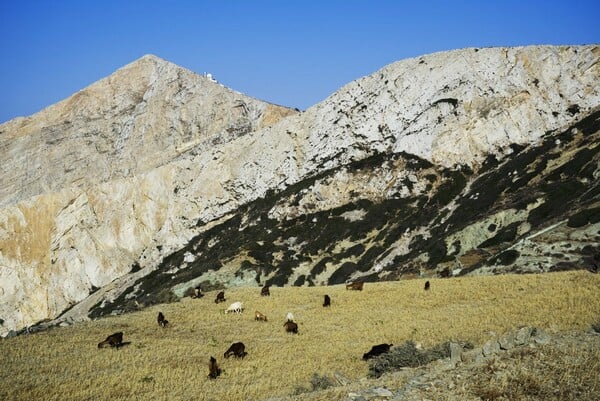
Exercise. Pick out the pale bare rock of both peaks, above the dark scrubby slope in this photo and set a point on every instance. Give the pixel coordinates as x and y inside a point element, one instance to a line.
<point>121,173</point>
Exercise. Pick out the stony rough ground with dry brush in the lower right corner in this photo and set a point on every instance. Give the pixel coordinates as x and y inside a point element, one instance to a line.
<point>526,364</point>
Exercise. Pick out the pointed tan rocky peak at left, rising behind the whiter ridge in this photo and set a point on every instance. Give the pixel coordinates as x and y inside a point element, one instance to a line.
<point>144,115</point>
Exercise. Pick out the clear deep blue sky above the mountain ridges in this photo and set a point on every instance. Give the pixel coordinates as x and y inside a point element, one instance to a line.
<point>293,53</point>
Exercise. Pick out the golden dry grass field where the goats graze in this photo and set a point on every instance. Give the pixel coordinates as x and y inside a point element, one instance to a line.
<point>171,363</point>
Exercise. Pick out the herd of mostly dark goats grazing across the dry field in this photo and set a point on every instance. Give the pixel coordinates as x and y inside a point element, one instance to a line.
<point>238,349</point>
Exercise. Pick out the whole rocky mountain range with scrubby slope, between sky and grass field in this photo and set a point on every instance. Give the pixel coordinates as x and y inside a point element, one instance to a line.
<point>155,180</point>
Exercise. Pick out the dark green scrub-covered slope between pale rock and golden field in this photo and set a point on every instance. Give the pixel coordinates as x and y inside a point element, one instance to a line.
<point>535,211</point>
